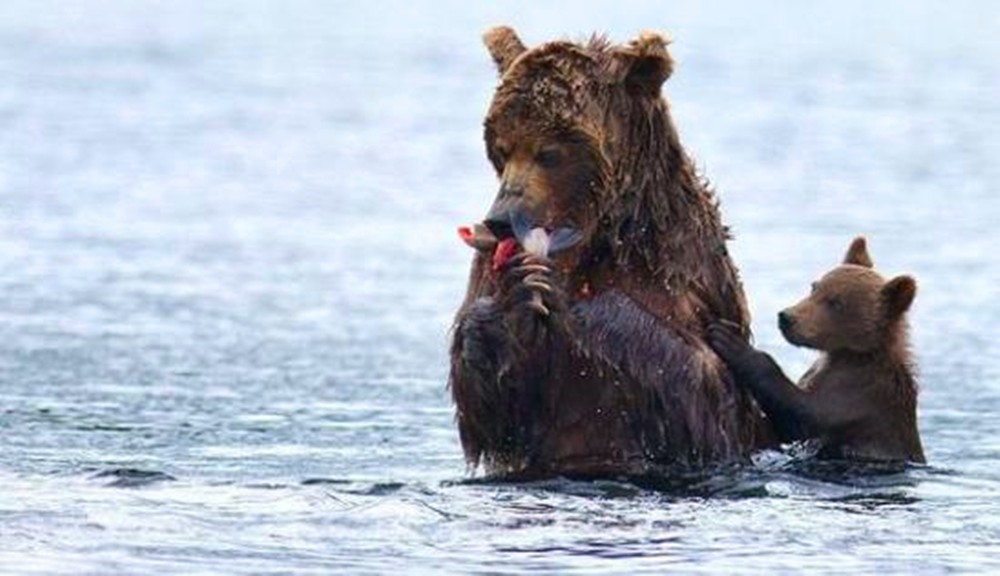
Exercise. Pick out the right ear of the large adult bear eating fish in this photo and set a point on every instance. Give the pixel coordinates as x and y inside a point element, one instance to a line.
<point>644,65</point>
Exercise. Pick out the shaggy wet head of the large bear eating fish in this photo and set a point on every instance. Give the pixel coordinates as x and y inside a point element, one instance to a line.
<point>580,137</point>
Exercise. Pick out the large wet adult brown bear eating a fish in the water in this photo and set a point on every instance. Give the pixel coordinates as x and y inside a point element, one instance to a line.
<point>594,362</point>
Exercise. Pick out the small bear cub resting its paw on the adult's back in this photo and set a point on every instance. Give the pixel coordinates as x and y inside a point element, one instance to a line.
<point>860,398</point>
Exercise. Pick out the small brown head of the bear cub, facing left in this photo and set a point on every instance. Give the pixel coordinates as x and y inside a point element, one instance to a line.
<point>851,308</point>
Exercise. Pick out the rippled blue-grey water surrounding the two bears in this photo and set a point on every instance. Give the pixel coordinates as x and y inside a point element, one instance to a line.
<point>228,267</point>
